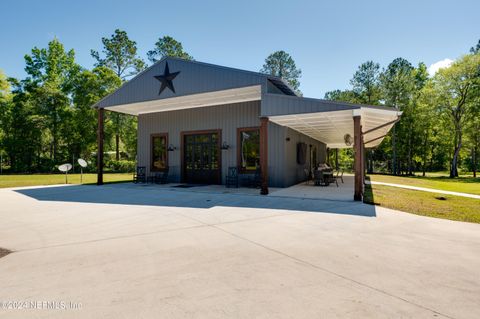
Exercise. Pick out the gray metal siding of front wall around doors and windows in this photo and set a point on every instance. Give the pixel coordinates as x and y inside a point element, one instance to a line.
<point>225,117</point>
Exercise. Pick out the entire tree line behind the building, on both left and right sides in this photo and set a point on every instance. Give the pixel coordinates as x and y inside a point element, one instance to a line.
<point>46,119</point>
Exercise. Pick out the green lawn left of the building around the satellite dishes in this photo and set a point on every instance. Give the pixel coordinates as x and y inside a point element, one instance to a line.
<point>50,179</point>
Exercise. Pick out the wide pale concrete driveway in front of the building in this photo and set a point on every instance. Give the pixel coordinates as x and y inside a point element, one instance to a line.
<point>125,251</point>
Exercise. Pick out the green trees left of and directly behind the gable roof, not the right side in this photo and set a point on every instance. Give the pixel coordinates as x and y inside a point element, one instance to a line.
<point>47,119</point>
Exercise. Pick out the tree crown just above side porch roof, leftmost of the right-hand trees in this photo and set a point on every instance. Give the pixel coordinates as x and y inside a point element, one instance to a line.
<point>365,82</point>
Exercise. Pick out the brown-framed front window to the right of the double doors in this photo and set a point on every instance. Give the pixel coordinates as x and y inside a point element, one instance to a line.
<point>248,148</point>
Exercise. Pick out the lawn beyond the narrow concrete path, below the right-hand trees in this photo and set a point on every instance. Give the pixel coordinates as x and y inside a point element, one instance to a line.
<point>463,184</point>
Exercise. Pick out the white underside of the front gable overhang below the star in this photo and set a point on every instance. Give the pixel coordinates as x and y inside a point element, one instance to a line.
<point>229,96</point>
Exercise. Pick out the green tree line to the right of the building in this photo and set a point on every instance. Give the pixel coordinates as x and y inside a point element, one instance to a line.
<point>440,125</point>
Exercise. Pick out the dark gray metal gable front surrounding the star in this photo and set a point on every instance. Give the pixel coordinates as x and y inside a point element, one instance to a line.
<point>193,78</point>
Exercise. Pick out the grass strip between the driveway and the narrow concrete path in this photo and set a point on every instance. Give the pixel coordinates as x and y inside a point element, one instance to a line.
<point>424,203</point>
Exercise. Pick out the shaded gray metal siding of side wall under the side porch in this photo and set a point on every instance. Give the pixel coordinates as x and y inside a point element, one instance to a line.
<point>294,172</point>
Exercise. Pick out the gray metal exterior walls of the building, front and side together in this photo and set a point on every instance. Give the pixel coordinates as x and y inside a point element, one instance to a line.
<point>282,167</point>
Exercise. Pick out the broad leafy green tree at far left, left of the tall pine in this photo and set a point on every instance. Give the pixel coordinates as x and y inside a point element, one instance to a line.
<point>51,72</point>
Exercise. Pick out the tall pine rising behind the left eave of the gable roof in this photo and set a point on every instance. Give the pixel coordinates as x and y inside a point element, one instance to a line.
<point>121,57</point>
